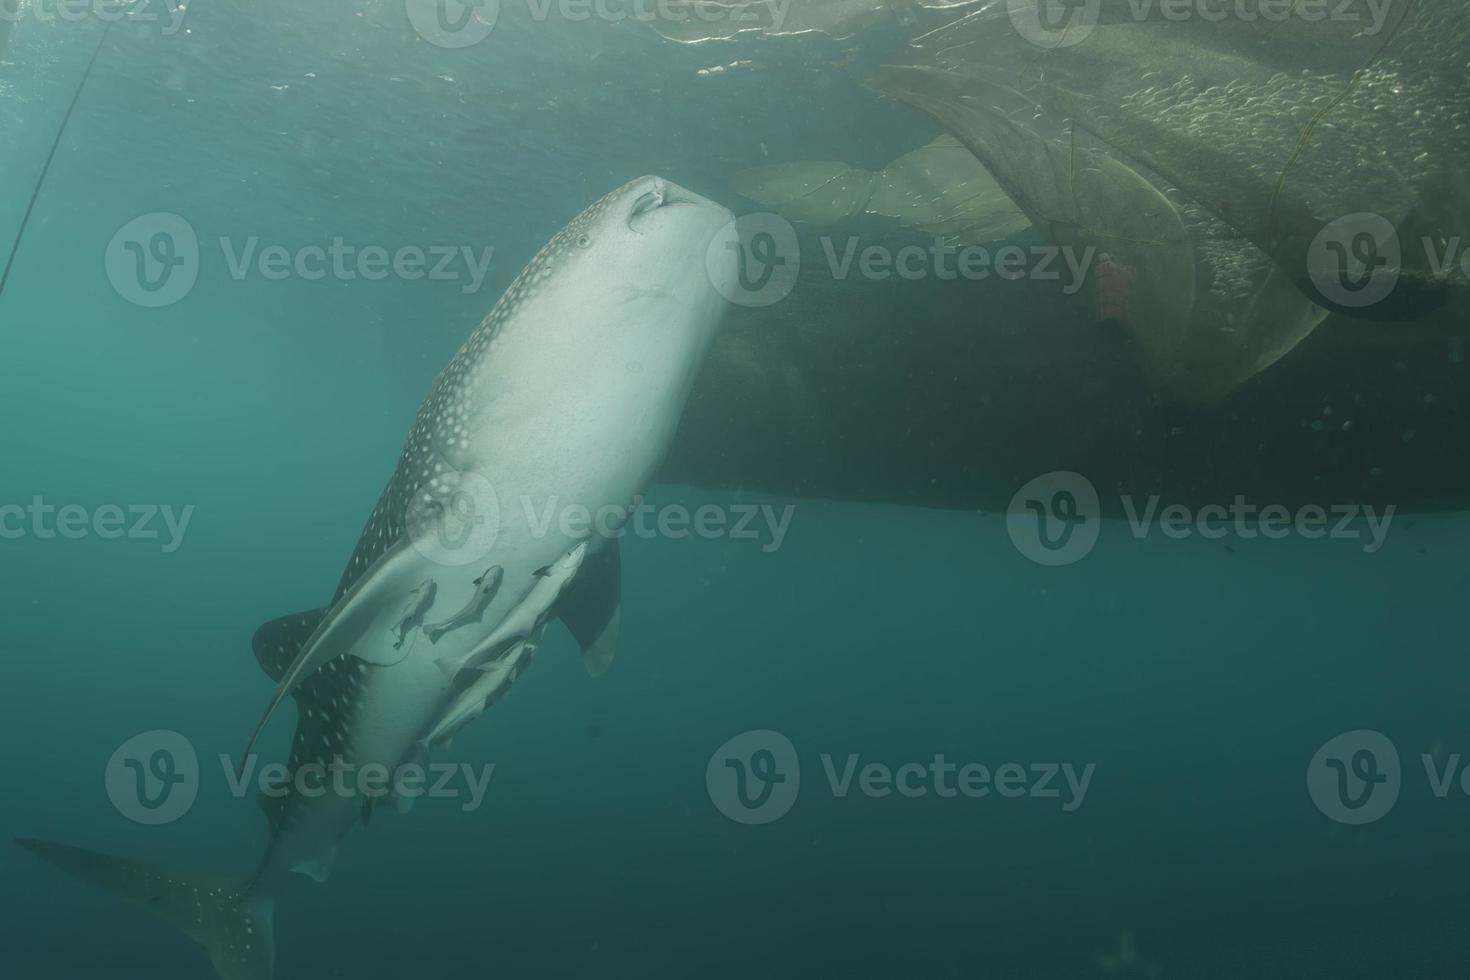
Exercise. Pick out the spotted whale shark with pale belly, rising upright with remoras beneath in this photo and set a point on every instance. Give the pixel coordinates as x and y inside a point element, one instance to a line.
<point>568,393</point>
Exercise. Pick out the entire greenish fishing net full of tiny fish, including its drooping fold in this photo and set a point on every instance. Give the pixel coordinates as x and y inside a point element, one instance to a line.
<point>1241,168</point>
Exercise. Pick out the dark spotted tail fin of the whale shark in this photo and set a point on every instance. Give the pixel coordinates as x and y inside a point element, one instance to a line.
<point>230,922</point>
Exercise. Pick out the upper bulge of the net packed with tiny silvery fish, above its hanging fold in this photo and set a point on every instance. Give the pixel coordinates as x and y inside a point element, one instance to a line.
<point>1303,126</point>
